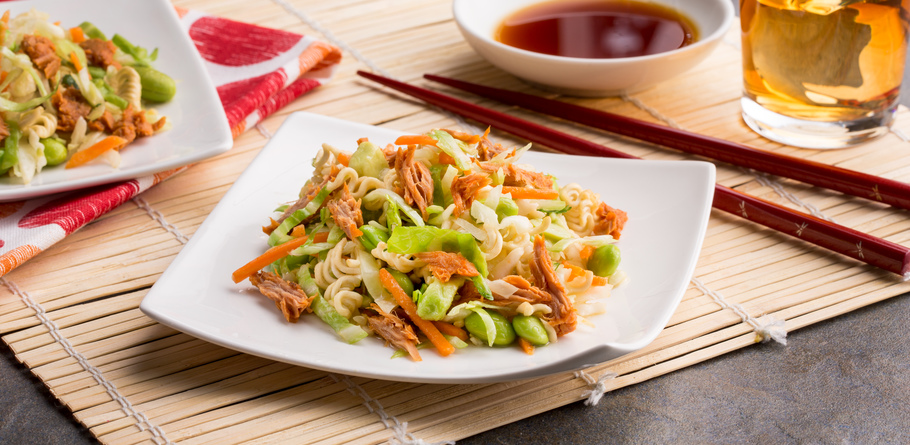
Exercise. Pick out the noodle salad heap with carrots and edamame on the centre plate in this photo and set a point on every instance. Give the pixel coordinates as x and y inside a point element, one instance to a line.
<point>439,240</point>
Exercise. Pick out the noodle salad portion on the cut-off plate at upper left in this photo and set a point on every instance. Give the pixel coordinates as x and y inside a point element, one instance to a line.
<point>71,95</point>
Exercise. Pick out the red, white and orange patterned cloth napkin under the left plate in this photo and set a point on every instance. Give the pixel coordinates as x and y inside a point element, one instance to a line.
<point>256,71</point>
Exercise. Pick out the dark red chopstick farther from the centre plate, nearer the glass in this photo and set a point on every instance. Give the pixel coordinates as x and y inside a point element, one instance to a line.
<point>851,182</point>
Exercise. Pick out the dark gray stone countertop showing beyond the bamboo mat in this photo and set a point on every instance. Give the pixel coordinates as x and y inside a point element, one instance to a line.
<point>844,380</point>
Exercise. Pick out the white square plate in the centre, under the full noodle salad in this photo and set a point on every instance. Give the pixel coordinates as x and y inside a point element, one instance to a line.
<point>668,203</point>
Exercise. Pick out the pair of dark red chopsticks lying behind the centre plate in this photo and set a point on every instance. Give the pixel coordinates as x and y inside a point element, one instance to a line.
<point>860,246</point>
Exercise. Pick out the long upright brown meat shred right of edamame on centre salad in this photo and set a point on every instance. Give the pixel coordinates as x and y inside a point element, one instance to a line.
<point>562,318</point>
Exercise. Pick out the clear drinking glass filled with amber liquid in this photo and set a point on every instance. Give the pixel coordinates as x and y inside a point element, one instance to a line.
<point>822,73</point>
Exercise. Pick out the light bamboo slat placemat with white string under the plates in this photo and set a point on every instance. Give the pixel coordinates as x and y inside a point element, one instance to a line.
<point>71,314</point>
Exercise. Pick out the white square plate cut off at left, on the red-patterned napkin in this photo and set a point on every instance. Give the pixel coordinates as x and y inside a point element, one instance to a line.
<point>200,129</point>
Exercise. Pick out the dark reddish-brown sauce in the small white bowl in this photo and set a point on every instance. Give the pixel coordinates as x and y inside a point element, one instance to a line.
<point>593,29</point>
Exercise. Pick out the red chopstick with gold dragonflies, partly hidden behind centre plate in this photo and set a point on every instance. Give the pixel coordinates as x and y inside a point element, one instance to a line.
<point>860,246</point>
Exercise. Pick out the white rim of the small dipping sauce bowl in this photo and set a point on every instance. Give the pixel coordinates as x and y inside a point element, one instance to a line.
<point>728,16</point>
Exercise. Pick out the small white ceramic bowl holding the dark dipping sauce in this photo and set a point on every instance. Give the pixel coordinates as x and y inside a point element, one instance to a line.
<point>479,19</point>
